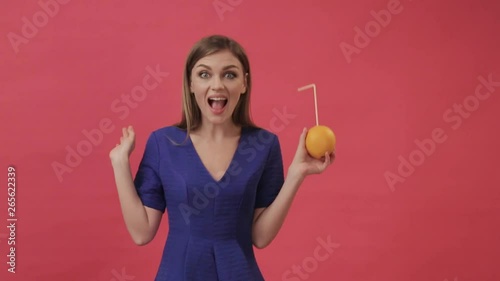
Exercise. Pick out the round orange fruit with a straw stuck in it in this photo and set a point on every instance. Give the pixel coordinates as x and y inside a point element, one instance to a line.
<point>320,140</point>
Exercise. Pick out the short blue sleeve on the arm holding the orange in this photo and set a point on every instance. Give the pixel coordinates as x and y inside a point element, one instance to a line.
<point>272,178</point>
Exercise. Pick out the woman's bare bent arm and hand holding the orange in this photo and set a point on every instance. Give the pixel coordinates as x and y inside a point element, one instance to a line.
<point>269,220</point>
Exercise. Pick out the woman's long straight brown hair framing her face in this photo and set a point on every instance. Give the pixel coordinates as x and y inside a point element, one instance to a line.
<point>191,114</point>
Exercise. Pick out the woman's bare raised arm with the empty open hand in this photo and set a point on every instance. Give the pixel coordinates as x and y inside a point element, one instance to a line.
<point>142,222</point>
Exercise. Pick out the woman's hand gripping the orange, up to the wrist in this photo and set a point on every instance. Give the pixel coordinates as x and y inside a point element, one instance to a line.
<point>303,164</point>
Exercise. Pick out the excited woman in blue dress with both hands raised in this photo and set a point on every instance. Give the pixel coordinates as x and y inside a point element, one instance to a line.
<point>219,176</point>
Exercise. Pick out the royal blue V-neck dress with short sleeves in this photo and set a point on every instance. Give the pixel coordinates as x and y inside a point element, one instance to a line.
<point>210,221</point>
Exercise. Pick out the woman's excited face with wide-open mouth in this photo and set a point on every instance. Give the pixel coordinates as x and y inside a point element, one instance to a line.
<point>217,82</point>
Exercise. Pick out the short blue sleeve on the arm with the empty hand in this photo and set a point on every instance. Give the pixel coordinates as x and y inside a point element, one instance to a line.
<point>147,181</point>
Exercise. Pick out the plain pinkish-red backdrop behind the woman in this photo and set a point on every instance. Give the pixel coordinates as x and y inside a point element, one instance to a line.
<point>441,222</point>
